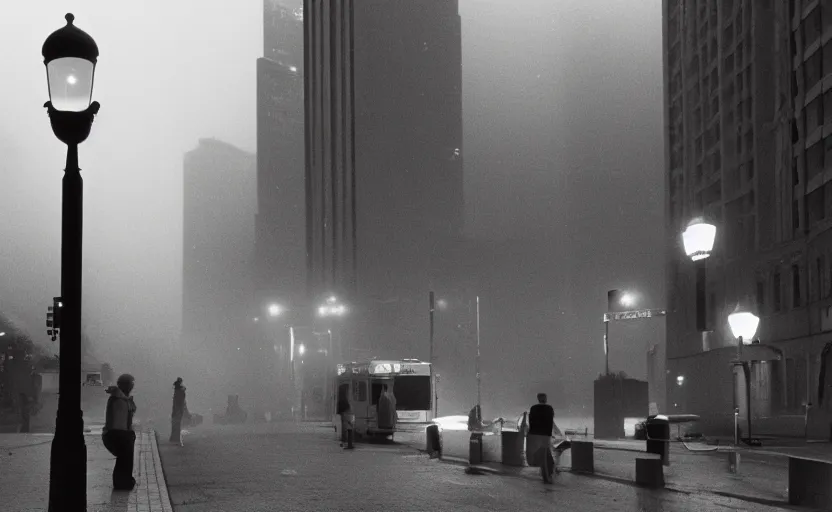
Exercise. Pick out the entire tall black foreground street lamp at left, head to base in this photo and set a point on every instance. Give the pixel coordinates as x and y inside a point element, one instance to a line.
<point>70,56</point>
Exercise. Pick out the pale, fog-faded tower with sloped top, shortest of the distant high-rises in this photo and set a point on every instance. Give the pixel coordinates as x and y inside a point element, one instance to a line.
<point>218,244</point>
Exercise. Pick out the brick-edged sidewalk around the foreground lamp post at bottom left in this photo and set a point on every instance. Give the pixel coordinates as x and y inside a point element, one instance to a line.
<point>24,483</point>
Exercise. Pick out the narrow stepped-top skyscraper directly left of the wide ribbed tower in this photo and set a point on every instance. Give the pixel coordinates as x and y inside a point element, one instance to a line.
<point>281,189</point>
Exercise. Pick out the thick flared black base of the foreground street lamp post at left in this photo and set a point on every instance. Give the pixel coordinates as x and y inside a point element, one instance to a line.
<point>68,465</point>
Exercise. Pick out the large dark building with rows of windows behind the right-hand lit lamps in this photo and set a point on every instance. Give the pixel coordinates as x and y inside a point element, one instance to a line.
<point>746,138</point>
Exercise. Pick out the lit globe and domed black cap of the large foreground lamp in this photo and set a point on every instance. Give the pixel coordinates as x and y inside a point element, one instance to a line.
<point>70,55</point>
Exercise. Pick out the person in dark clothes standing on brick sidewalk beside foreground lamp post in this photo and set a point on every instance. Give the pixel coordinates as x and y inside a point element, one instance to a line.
<point>118,435</point>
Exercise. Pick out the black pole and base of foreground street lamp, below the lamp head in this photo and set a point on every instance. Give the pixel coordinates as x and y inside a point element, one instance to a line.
<point>68,462</point>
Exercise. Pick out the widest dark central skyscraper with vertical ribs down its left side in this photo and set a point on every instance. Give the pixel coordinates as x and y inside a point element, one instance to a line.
<point>384,151</point>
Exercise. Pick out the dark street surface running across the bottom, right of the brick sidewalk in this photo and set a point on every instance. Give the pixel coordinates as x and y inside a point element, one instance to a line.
<point>287,467</point>
